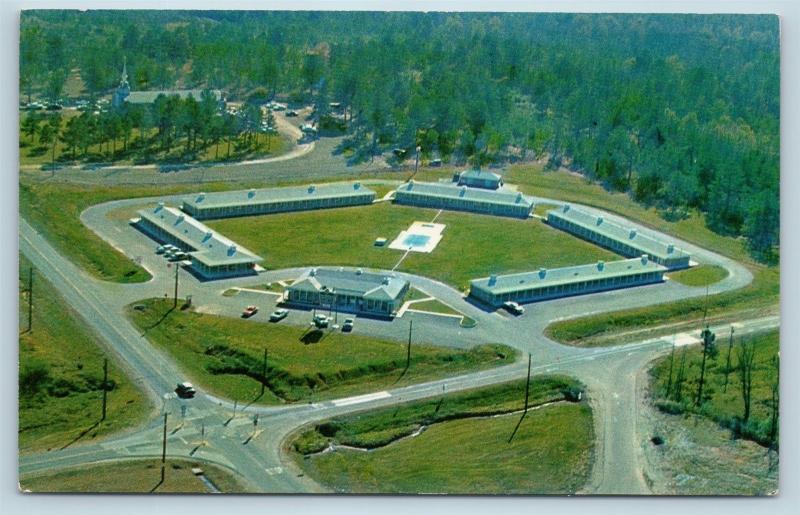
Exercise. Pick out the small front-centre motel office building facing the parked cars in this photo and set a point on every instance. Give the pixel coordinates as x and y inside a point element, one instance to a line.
<point>353,291</point>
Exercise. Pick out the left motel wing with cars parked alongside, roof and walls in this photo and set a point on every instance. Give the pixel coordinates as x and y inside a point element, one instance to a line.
<point>213,256</point>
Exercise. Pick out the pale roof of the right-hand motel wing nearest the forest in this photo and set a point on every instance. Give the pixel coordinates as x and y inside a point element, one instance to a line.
<point>628,235</point>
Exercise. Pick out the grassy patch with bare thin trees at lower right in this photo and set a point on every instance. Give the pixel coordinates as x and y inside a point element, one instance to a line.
<point>723,405</point>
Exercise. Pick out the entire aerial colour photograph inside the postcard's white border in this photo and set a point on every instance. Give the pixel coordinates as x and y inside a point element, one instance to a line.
<point>355,252</point>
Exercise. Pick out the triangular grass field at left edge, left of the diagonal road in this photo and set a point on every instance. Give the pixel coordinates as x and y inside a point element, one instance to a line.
<point>61,373</point>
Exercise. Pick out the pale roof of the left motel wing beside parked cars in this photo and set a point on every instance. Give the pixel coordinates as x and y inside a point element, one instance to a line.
<point>211,248</point>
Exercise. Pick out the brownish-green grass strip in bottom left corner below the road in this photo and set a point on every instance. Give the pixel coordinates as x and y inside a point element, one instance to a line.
<point>135,476</point>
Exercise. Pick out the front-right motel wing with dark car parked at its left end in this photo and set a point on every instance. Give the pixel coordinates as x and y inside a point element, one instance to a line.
<point>563,282</point>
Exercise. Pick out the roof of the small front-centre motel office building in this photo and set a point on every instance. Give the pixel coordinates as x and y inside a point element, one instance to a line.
<point>351,282</point>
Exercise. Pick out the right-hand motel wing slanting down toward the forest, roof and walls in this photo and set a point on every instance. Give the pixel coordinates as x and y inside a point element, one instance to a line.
<point>628,242</point>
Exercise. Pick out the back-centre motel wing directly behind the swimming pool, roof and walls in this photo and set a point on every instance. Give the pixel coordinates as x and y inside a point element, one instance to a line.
<point>463,198</point>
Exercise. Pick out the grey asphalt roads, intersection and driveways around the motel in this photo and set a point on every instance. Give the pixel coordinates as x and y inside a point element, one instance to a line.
<point>210,432</point>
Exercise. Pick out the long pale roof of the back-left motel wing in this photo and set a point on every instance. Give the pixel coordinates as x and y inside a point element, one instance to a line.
<point>270,195</point>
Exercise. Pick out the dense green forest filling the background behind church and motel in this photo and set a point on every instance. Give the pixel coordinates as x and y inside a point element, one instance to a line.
<point>680,111</point>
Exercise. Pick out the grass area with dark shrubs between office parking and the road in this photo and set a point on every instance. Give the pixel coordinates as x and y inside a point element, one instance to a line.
<point>225,356</point>
